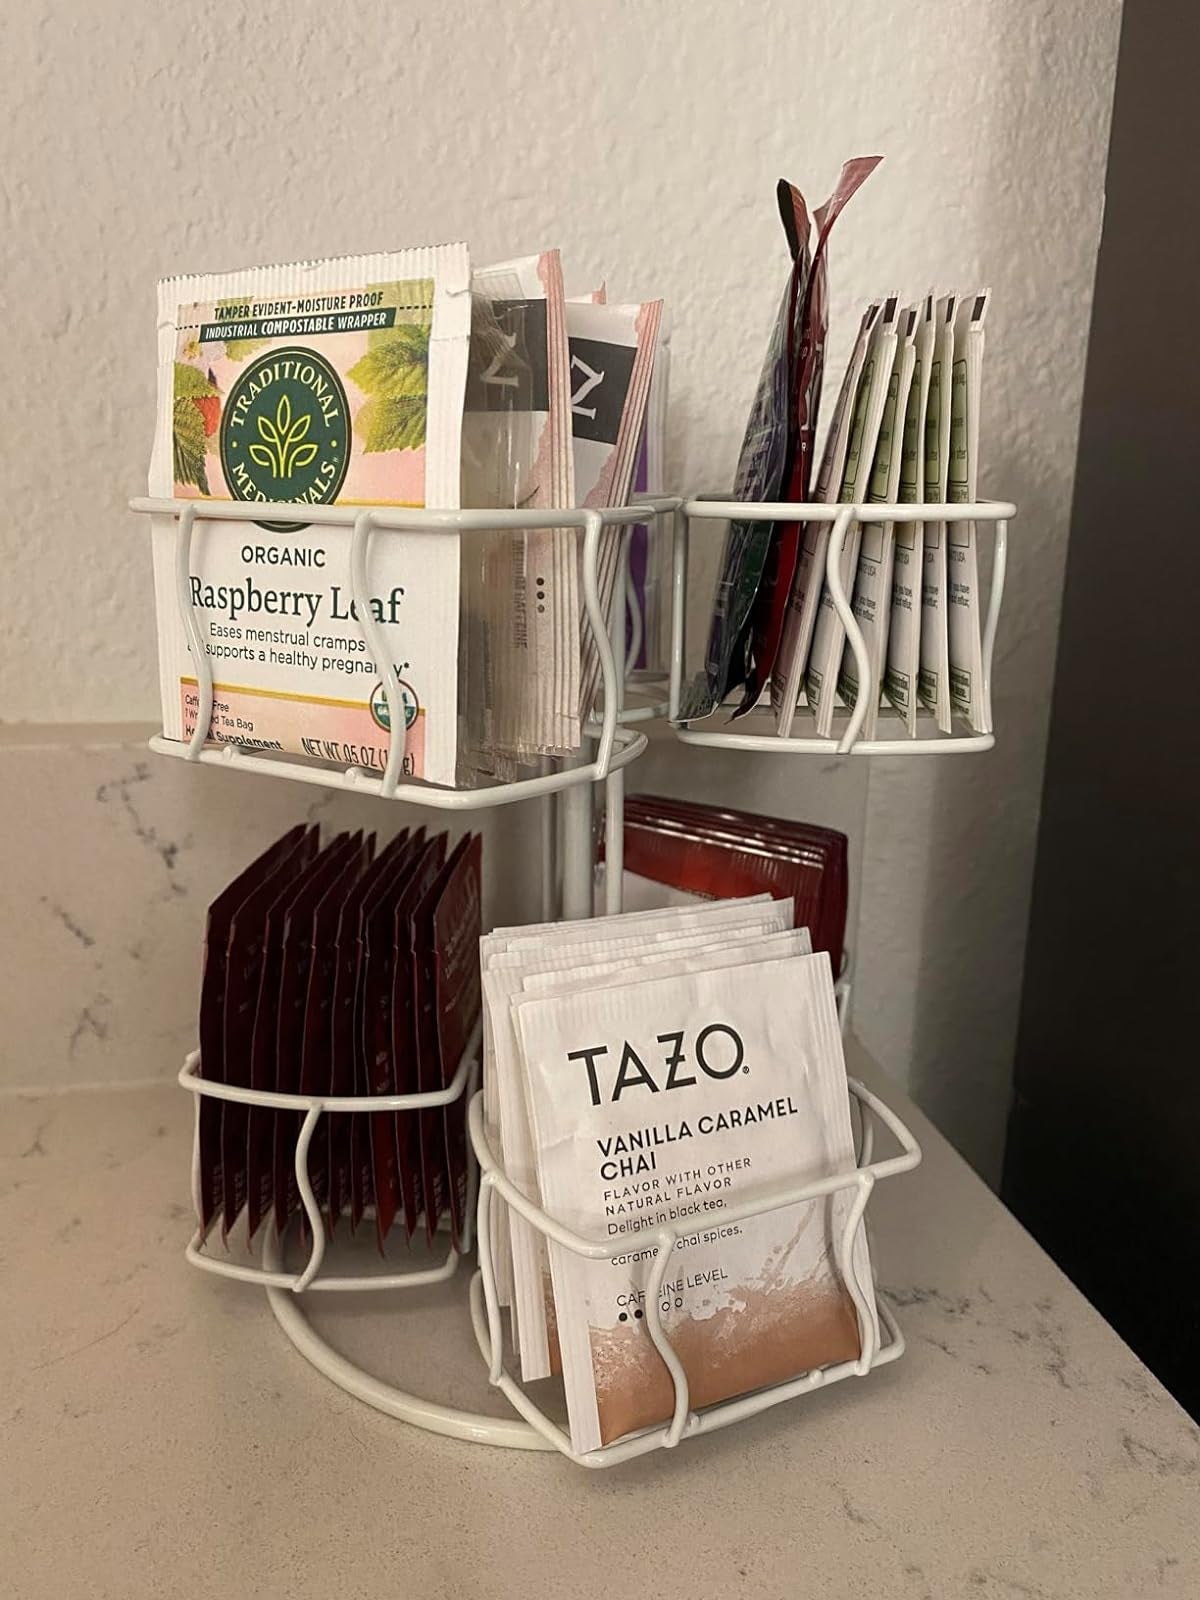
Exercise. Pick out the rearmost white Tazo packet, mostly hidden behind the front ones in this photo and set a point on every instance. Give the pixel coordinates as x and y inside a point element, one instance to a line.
<point>630,938</point>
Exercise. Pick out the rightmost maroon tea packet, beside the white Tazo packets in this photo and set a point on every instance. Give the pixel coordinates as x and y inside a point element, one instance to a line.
<point>457,1004</point>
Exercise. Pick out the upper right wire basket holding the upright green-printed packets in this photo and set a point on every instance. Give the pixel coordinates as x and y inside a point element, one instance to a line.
<point>748,734</point>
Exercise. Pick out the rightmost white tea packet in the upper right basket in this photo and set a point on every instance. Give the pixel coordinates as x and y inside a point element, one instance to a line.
<point>962,577</point>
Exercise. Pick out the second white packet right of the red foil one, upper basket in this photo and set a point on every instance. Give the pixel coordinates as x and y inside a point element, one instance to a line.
<point>830,634</point>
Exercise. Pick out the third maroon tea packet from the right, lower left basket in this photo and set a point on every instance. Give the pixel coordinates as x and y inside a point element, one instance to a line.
<point>374,1150</point>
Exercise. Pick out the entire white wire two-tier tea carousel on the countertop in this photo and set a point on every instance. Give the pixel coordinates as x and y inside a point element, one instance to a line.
<point>612,746</point>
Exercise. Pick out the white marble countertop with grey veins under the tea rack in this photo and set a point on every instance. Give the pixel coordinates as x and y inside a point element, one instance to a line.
<point>162,1439</point>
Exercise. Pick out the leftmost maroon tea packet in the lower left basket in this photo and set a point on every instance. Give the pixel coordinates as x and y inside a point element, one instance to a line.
<point>244,975</point>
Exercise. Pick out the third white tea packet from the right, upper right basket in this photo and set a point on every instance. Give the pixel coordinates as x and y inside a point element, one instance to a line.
<point>905,631</point>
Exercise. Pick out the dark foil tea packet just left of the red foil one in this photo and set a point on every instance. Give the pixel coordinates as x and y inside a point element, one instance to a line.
<point>762,471</point>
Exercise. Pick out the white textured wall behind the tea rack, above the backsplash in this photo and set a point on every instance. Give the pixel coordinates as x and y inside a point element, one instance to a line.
<point>148,138</point>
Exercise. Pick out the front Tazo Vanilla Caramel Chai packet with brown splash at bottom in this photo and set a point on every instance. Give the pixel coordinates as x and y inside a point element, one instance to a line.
<point>665,1103</point>
